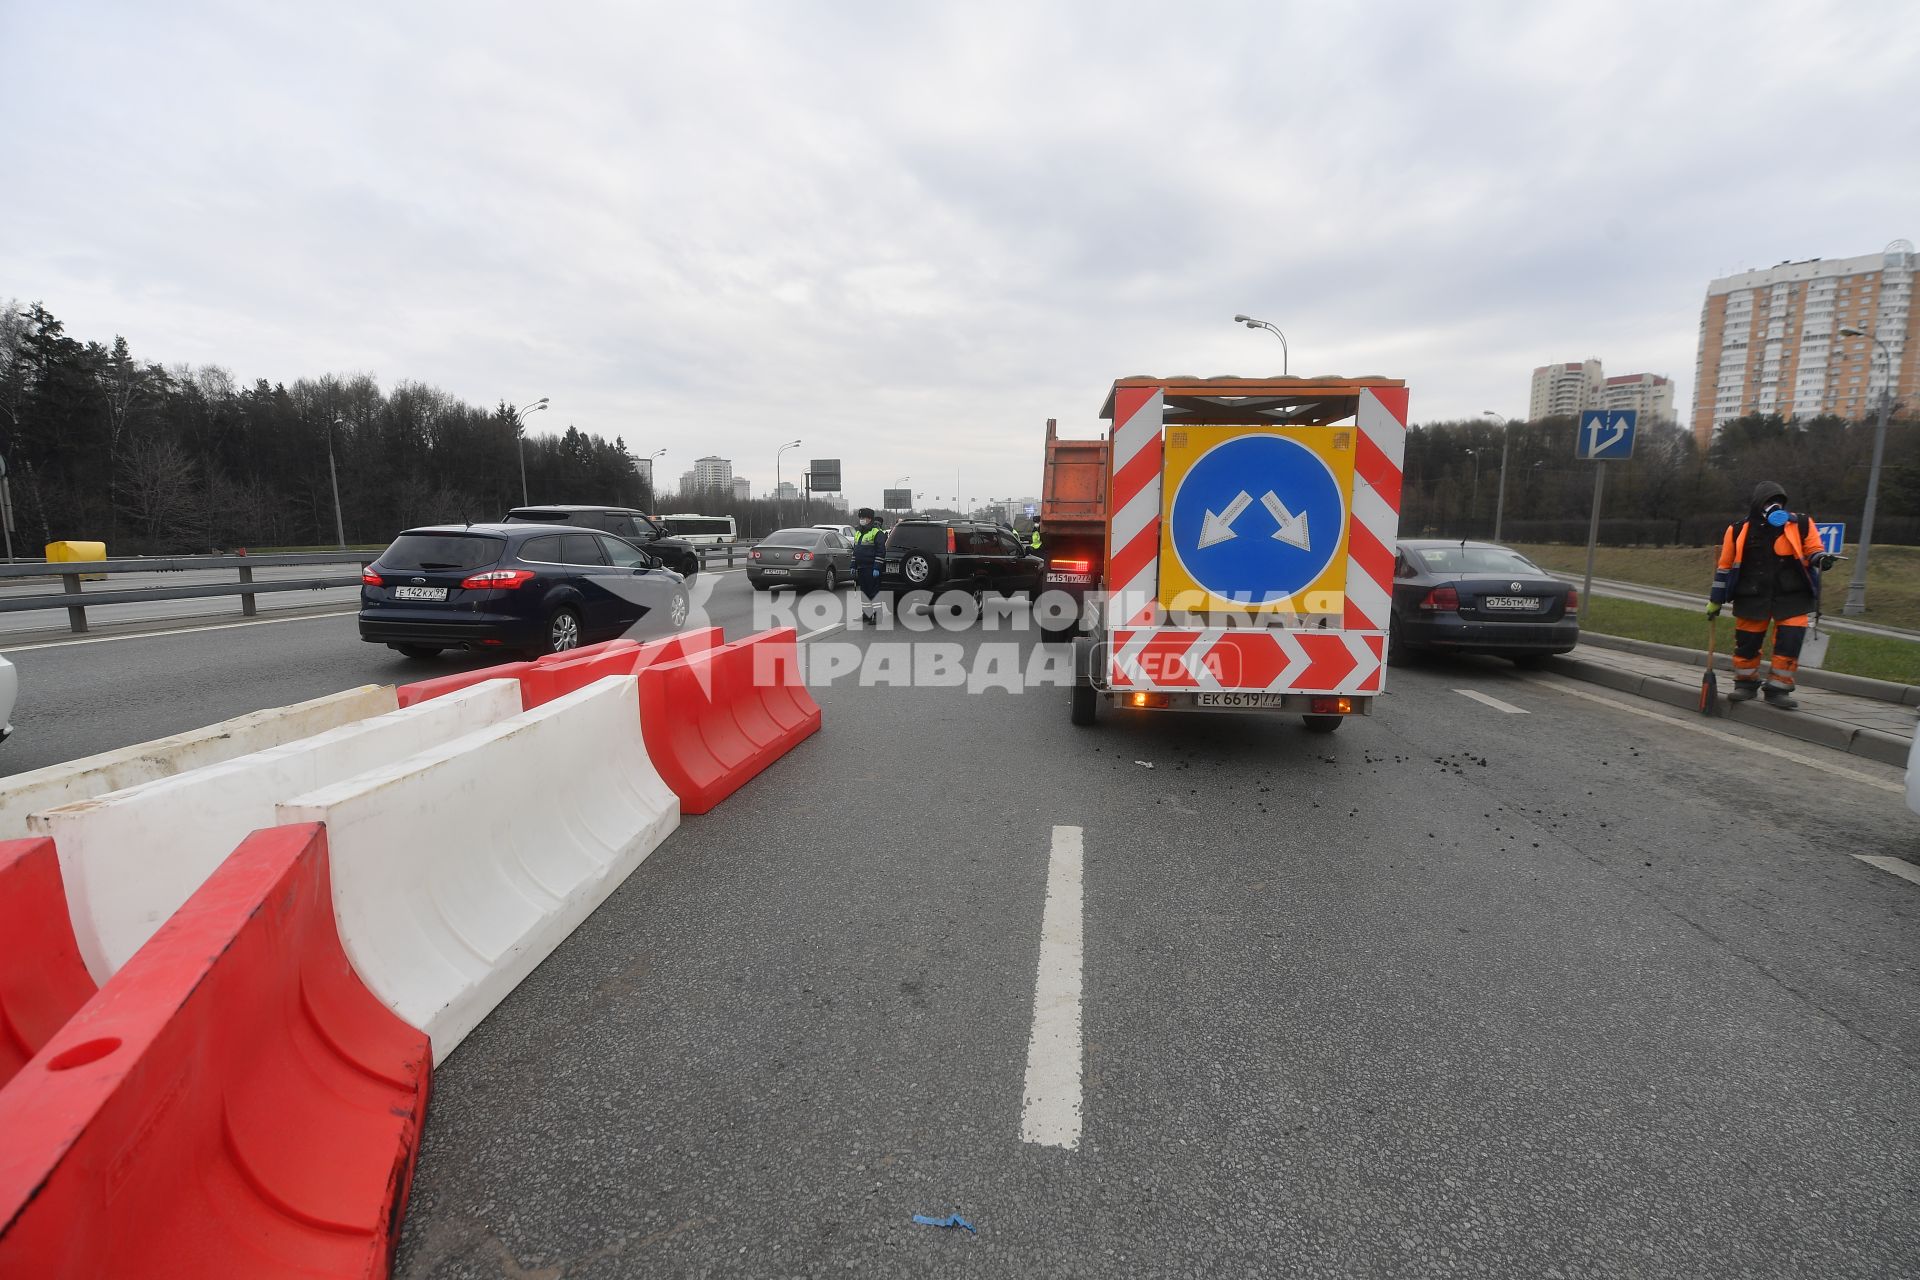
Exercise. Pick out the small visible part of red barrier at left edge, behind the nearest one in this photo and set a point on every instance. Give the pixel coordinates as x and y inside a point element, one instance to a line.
<point>41,976</point>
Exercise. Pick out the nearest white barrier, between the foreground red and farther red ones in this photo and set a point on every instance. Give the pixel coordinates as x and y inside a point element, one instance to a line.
<point>460,870</point>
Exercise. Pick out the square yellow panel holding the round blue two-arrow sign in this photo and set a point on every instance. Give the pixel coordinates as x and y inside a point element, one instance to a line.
<point>1255,519</point>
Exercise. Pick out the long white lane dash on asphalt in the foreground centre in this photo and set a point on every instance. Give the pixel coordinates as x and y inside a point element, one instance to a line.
<point>1053,1106</point>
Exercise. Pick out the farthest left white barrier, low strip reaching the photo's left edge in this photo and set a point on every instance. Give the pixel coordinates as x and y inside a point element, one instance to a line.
<point>130,767</point>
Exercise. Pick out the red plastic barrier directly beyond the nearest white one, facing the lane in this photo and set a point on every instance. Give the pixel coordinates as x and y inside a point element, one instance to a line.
<point>715,721</point>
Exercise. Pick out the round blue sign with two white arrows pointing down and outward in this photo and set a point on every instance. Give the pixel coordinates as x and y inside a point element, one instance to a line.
<point>1259,519</point>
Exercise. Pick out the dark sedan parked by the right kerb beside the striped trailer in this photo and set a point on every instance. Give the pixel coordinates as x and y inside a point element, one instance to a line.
<point>1479,598</point>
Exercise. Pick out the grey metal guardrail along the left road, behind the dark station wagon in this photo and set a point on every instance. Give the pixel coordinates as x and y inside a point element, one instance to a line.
<point>78,602</point>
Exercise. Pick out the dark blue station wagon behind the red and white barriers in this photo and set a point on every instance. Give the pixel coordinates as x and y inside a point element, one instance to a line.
<point>521,588</point>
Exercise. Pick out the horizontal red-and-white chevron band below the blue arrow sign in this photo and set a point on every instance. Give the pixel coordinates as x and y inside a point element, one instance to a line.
<point>1255,659</point>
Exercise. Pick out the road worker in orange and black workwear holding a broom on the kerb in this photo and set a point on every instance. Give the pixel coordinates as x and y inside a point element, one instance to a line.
<point>1769,571</point>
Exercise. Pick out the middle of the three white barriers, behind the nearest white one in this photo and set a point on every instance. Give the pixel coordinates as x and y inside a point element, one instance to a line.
<point>133,857</point>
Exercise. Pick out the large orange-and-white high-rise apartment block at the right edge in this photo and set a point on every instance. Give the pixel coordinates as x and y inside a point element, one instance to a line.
<point>1769,341</point>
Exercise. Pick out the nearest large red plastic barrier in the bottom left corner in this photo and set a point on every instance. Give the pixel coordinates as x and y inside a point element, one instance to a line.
<point>233,1102</point>
